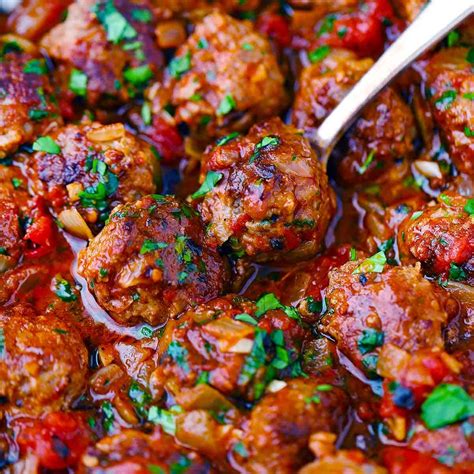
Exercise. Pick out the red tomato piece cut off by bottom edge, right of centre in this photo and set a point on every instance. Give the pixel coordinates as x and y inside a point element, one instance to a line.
<point>408,461</point>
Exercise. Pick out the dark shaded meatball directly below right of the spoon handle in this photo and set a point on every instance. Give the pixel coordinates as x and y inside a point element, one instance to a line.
<point>381,137</point>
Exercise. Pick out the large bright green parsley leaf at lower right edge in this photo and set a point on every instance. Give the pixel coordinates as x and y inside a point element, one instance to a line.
<point>446,404</point>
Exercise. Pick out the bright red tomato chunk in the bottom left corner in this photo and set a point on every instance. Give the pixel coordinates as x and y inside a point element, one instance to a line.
<point>58,440</point>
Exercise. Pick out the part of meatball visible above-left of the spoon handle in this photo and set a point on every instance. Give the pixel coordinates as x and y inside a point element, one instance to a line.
<point>324,84</point>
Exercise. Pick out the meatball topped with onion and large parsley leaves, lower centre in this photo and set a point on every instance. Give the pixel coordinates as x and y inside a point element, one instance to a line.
<point>215,342</point>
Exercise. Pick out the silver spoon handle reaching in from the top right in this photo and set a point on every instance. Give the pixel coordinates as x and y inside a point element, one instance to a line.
<point>431,25</point>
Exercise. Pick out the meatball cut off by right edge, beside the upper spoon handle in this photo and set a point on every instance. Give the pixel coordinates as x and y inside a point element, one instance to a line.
<point>450,85</point>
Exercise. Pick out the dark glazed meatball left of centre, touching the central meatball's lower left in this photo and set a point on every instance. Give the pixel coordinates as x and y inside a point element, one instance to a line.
<point>150,261</point>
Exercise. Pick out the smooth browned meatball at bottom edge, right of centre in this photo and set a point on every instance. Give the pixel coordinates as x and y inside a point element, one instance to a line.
<point>281,424</point>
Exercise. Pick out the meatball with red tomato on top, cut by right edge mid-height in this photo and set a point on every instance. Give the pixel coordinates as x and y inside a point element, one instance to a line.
<point>441,237</point>
